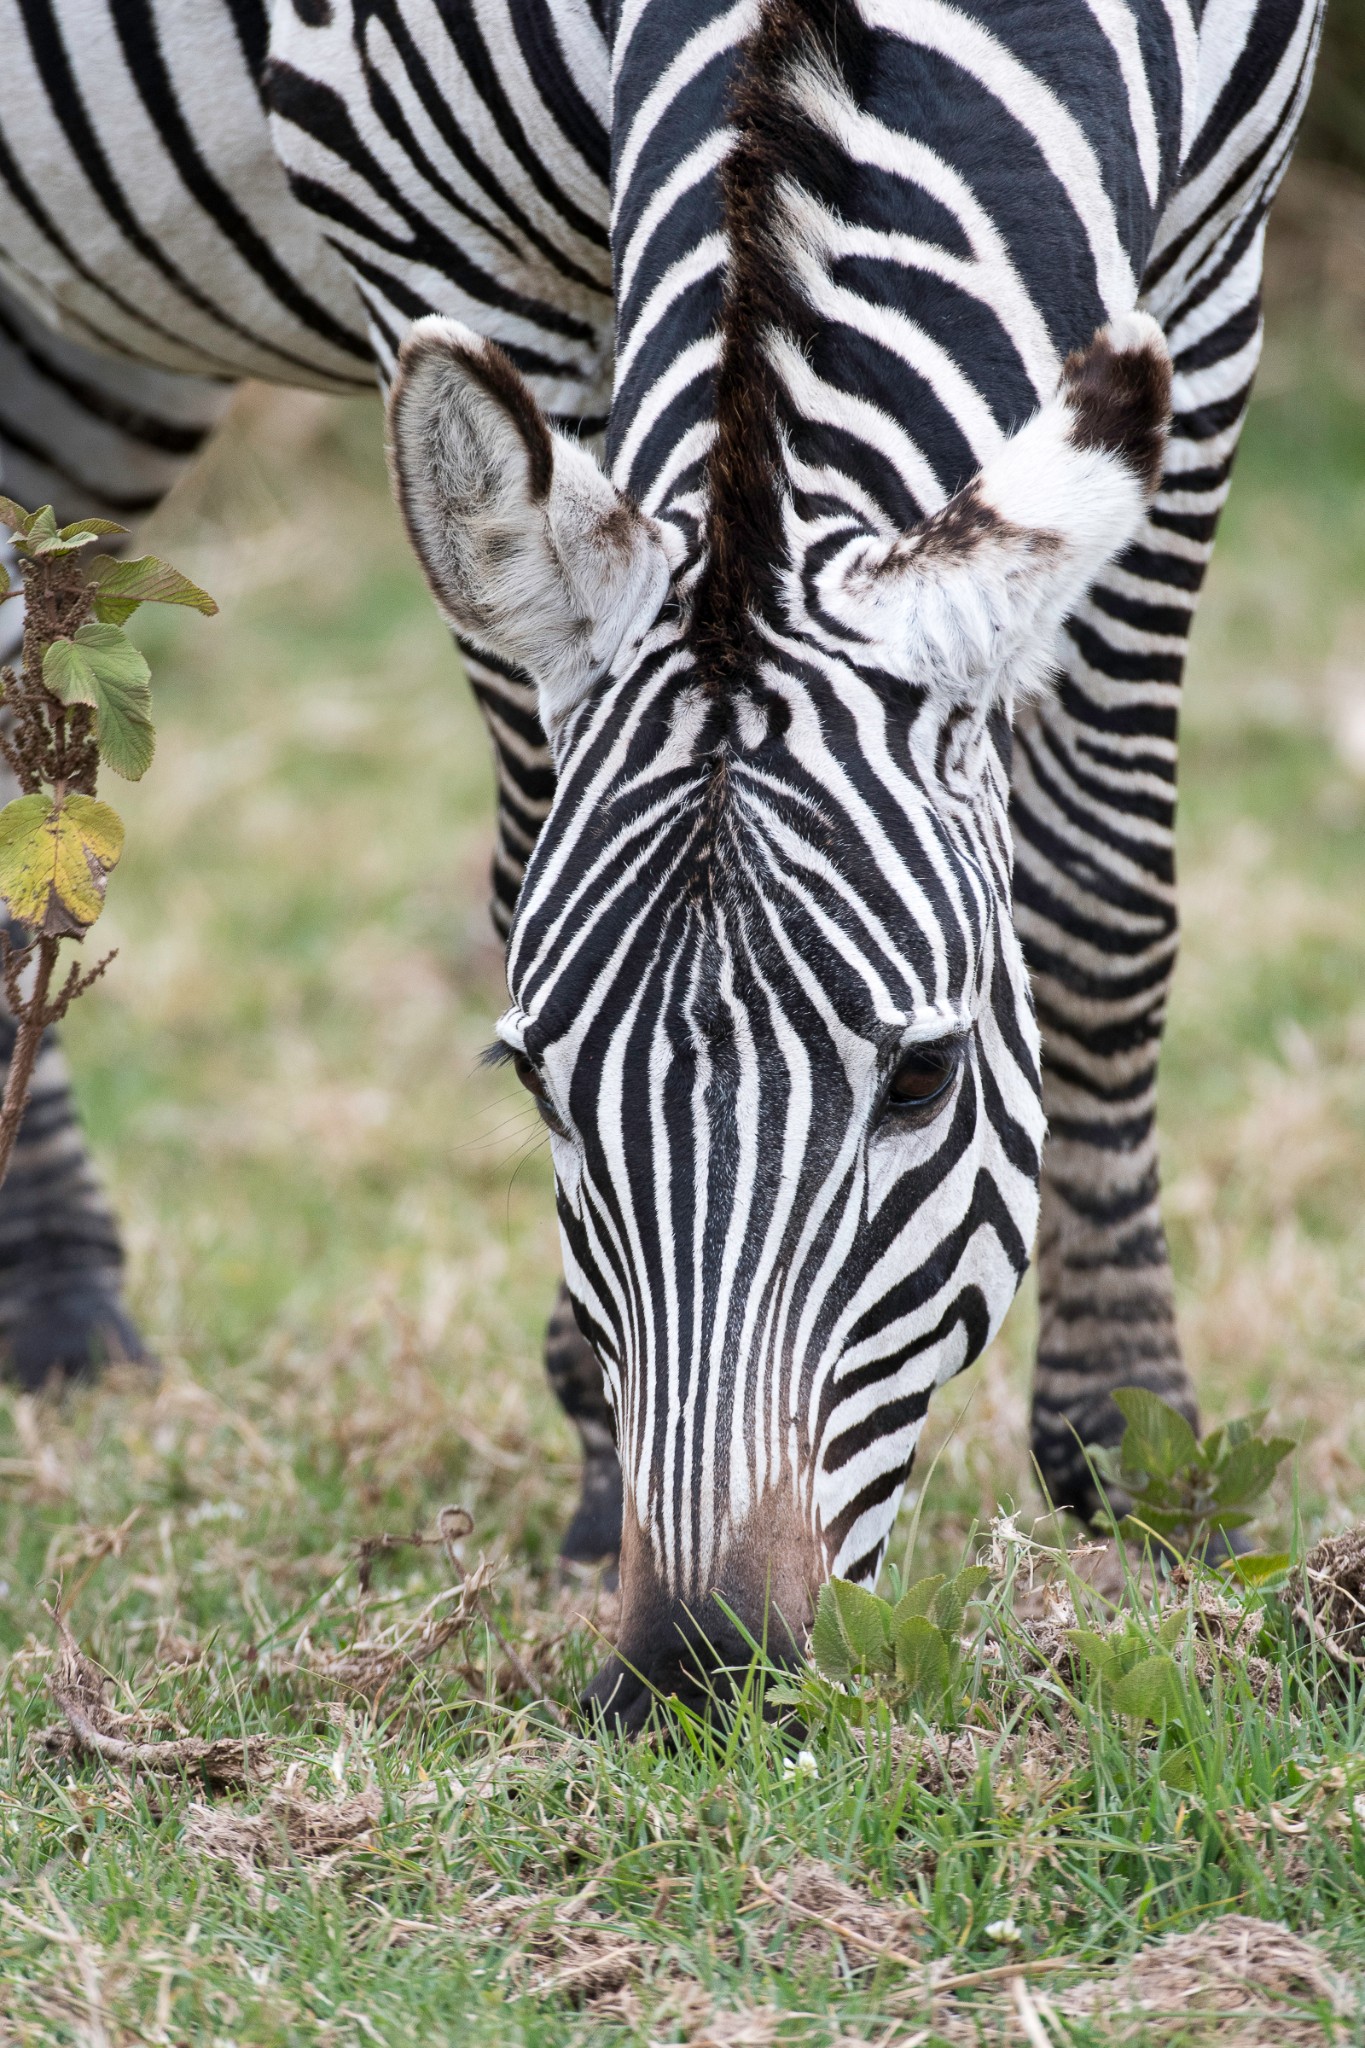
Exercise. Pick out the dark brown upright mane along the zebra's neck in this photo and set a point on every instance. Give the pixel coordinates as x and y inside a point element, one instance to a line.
<point>777,148</point>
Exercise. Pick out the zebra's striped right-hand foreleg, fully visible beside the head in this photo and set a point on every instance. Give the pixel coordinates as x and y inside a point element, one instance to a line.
<point>1094,822</point>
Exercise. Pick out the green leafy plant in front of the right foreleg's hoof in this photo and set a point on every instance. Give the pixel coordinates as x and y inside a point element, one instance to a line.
<point>1186,1490</point>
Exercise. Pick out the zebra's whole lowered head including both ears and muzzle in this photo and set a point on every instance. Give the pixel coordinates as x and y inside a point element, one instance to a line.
<point>764,976</point>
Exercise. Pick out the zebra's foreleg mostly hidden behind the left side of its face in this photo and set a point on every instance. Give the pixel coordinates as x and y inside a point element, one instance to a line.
<point>525,790</point>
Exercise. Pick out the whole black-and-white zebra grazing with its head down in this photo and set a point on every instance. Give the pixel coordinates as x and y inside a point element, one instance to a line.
<point>834,712</point>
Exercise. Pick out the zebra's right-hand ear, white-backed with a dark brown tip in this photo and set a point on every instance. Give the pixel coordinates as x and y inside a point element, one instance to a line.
<point>973,601</point>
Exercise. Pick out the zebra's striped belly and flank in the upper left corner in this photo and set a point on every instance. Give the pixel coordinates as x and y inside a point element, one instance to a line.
<point>142,208</point>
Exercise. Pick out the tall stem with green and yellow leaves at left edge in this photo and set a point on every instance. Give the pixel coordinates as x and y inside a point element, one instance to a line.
<point>79,699</point>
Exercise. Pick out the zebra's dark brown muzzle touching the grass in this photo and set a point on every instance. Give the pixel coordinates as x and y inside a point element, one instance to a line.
<point>699,1648</point>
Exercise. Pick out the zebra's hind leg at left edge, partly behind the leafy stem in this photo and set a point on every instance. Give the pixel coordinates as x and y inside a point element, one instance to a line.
<point>93,437</point>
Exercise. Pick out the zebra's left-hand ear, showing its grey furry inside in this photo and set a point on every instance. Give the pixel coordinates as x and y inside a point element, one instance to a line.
<point>529,550</point>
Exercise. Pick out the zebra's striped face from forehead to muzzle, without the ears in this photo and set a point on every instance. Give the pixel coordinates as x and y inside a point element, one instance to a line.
<point>789,1068</point>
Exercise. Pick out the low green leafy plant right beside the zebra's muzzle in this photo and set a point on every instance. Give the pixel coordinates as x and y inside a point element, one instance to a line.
<point>904,1656</point>
